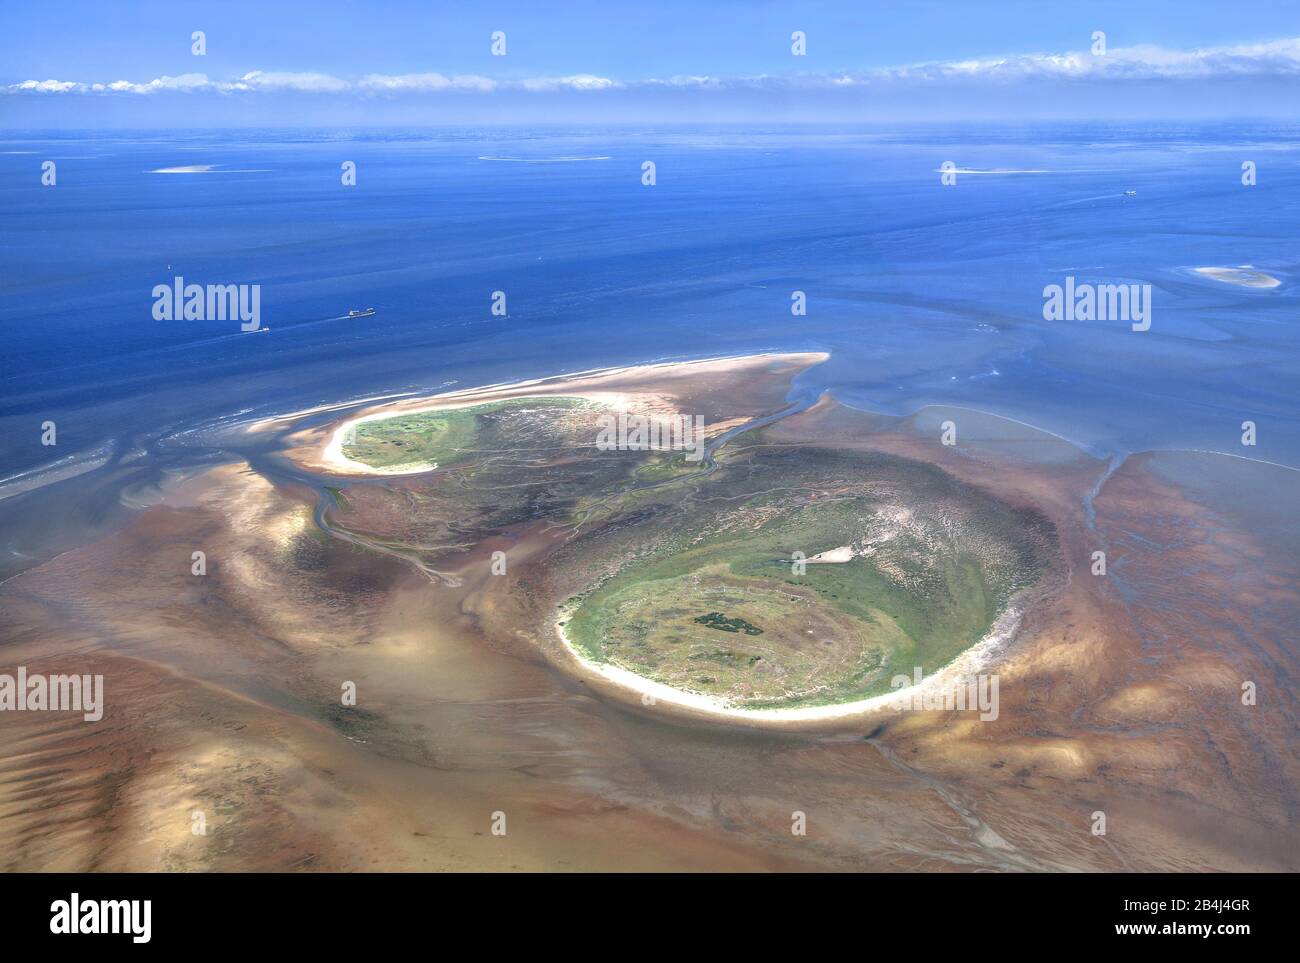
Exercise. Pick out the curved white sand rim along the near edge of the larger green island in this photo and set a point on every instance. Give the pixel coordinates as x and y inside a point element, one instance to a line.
<point>968,663</point>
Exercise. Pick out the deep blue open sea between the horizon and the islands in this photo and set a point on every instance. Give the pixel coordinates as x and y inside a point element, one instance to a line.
<point>924,293</point>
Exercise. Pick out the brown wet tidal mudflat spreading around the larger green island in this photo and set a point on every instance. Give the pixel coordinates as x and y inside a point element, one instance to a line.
<point>1120,695</point>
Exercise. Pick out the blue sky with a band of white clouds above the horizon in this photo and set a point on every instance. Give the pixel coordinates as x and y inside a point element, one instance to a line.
<point>287,62</point>
